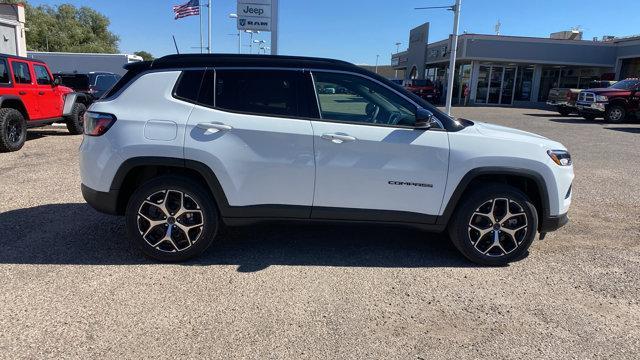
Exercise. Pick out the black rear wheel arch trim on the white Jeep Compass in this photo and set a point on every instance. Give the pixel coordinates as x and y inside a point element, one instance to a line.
<point>135,171</point>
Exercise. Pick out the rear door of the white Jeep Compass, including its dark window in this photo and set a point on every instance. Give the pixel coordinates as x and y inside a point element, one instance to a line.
<point>259,159</point>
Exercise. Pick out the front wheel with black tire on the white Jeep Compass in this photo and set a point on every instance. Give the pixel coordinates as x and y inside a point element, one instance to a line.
<point>472,243</point>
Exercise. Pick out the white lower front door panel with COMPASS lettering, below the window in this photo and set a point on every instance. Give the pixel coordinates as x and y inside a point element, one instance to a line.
<point>382,169</point>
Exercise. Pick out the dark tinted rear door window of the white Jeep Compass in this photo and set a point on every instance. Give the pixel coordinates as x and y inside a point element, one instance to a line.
<point>264,92</point>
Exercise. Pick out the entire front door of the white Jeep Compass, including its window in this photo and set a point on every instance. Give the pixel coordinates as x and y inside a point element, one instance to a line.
<point>369,156</point>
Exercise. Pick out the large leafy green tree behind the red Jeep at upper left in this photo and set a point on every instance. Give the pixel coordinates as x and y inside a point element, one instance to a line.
<point>66,28</point>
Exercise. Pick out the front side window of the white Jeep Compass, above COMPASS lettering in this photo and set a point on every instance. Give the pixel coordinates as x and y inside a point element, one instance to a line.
<point>355,99</point>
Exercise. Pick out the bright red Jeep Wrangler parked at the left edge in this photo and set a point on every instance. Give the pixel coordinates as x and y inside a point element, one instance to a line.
<point>30,97</point>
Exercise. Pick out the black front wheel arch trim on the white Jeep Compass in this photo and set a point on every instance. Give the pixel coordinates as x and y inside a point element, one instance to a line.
<point>528,181</point>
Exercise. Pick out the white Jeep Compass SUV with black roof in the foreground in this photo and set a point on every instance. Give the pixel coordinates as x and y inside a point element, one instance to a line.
<point>186,143</point>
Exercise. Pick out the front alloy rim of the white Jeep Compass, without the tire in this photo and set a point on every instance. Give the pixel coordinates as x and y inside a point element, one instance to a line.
<point>498,227</point>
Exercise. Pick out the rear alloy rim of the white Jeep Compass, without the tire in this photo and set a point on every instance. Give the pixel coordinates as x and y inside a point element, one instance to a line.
<point>170,221</point>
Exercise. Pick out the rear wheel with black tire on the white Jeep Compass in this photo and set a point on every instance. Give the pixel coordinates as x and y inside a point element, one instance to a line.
<point>179,248</point>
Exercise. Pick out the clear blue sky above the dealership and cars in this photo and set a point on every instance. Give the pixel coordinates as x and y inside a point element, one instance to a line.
<point>358,30</point>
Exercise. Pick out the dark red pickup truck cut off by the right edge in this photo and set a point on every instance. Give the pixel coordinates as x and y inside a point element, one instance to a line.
<point>614,103</point>
